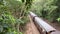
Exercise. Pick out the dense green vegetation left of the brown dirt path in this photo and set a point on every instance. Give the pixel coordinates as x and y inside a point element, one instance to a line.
<point>13,15</point>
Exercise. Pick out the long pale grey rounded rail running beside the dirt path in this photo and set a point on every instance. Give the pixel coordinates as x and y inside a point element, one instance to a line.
<point>42,26</point>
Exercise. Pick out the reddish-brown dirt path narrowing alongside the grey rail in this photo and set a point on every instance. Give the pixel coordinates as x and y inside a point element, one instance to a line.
<point>31,28</point>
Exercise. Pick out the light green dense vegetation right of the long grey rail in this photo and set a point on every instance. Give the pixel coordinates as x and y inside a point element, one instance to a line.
<point>48,9</point>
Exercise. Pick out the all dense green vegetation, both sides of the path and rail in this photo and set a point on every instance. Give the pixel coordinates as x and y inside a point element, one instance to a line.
<point>14,13</point>
